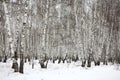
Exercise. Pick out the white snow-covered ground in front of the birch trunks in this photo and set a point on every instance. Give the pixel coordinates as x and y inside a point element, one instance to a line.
<point>61,71</point>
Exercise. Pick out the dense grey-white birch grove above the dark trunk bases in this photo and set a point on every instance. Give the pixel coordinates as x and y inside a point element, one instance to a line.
<point>83,29</point>
